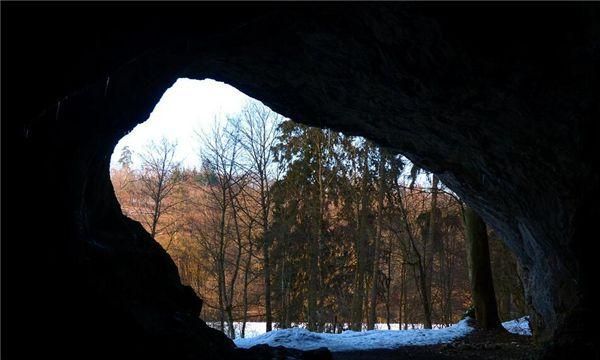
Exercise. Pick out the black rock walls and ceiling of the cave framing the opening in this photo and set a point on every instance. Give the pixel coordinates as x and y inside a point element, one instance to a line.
<point>500,101</point>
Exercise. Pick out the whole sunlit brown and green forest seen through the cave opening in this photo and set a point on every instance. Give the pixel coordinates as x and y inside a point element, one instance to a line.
<point>285,223</point>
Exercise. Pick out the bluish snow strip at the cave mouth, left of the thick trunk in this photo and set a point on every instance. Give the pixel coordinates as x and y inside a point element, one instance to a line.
<point>302,339</point>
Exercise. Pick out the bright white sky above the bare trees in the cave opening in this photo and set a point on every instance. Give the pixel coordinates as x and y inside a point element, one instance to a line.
<point>188,107</point>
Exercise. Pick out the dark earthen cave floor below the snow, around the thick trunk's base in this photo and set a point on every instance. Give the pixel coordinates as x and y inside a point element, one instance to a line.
<point>479,344</point>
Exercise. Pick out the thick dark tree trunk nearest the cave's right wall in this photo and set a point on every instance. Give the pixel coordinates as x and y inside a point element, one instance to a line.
<point>484,297</point>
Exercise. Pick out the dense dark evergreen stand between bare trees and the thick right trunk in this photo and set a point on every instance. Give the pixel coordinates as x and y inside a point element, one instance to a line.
<point>360,243</point>
